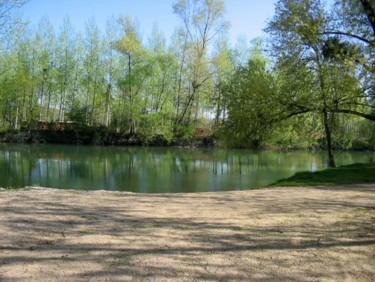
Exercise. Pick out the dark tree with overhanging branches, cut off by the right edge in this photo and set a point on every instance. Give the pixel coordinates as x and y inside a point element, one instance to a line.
<point>351,36</point>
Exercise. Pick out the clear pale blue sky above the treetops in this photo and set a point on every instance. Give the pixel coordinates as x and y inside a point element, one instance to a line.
<point>247,17</point>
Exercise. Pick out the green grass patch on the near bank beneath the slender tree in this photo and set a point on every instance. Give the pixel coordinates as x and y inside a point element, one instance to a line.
<point>349,174</point>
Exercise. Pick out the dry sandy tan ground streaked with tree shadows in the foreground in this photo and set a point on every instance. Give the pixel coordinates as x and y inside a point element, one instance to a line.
<point>293,234</point>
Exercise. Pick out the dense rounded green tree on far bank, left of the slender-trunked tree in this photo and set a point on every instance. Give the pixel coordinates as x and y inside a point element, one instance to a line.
<point>248,95</point>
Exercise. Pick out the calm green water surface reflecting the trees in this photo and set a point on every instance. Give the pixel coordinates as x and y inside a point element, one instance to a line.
<point>155,170</point>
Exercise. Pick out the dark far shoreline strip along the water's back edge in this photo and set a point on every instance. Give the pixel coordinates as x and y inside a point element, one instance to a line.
<point>99,136</point>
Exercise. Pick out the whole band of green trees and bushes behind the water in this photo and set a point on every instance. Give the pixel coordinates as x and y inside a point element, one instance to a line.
<point>308,84</point>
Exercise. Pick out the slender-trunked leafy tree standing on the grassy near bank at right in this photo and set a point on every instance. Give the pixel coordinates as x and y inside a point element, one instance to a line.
<point>300,45</point>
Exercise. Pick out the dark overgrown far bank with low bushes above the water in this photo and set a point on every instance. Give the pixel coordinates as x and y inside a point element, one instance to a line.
<point>63,133</point>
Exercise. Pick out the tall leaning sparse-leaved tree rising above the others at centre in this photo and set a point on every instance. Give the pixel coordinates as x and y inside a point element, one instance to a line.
<point>203,20</point>
